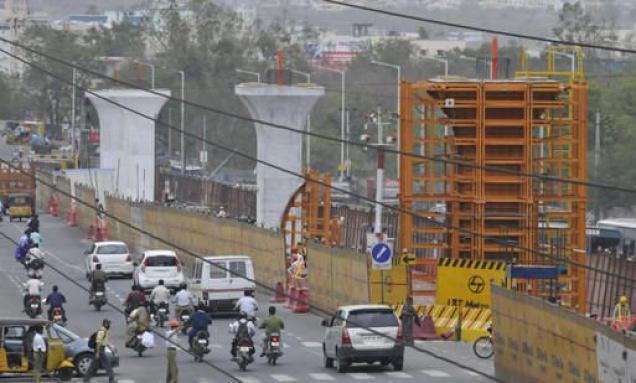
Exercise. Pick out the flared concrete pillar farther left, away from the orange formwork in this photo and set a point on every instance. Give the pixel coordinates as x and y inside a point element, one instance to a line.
<point>127,140</point>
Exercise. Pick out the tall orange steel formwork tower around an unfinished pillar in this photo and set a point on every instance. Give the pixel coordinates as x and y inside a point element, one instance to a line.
<point>474,212</point>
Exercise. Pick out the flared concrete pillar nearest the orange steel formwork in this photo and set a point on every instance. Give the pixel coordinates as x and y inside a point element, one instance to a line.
<point>282,105</point>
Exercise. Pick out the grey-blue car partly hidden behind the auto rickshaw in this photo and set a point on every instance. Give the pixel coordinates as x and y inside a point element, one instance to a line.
<point>77,348</point>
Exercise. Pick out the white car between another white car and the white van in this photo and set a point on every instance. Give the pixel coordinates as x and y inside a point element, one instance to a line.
<point>156,265</point>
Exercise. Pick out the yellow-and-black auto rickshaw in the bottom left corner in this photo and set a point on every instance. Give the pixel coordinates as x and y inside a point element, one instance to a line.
<point>16,339</point>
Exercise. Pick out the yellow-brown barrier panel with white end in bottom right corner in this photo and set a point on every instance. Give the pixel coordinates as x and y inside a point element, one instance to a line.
<point>536,341</point>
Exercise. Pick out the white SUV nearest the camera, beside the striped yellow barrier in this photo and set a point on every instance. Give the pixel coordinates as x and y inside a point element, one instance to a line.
<point>363,334</point>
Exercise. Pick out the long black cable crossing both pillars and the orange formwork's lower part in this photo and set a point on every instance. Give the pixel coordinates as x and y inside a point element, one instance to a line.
<point>495,240</point>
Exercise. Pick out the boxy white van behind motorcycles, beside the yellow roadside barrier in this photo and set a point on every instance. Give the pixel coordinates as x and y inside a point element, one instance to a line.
<point>221,287</point>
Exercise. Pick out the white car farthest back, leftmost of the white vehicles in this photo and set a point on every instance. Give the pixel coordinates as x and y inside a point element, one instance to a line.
<point>114,257</point>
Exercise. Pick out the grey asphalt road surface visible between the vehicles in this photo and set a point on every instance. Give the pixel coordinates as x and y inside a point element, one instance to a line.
<point>302,361</point>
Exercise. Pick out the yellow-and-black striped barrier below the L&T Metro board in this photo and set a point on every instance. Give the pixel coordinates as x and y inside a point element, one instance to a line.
<point>445,320</point>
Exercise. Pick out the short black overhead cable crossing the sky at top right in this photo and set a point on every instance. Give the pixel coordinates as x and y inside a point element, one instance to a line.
<point>481,29</point>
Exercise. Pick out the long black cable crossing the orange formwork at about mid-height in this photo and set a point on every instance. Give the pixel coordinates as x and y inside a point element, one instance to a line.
<point>444,160</point>
